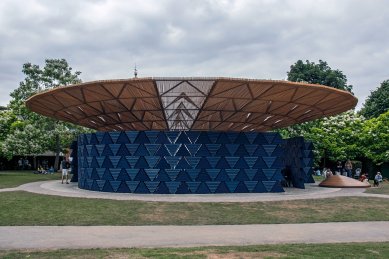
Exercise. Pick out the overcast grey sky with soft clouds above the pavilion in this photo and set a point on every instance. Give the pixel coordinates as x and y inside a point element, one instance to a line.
<point>258,39</point>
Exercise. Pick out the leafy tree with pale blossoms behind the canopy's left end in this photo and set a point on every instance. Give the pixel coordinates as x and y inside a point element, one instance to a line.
<point>56,72</point>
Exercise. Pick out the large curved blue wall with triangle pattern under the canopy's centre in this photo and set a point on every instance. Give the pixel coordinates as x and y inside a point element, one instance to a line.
<point>180,162</point>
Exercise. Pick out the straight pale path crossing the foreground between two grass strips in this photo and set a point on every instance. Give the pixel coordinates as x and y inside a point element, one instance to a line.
<point>189,236</point>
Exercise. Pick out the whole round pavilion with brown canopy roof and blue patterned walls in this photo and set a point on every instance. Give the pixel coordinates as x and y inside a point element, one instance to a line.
<point>190,135</point>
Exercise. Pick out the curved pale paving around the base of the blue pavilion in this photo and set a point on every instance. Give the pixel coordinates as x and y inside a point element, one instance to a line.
<point>312,191</point>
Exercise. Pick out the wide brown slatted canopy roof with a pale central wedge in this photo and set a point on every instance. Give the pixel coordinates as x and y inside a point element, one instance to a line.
<point>219,104</point>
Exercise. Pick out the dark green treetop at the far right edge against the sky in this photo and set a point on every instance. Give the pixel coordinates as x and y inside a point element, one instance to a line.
<point>378,102</point>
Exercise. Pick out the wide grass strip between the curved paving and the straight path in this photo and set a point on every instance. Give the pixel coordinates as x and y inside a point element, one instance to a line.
<point>23,208</point>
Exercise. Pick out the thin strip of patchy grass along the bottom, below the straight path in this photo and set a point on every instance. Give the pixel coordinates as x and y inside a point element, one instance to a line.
<point>342,250</point>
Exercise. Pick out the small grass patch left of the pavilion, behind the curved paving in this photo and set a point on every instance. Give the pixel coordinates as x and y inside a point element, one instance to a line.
<point>9,179</point>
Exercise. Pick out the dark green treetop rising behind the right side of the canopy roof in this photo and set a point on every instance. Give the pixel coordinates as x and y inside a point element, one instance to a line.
<point>318,74</point>
